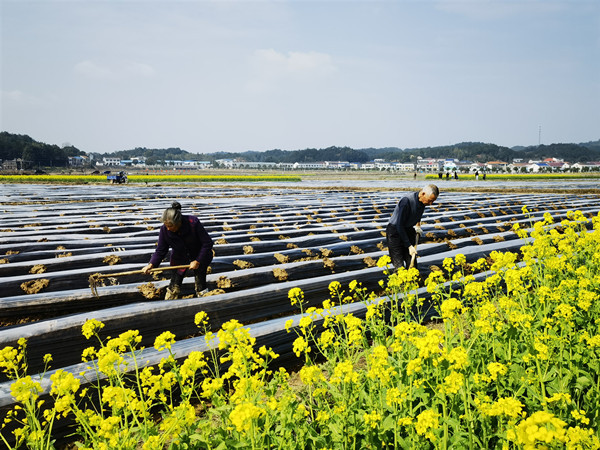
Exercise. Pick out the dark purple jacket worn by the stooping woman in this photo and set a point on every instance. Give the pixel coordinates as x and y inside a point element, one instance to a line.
<point>190,242</point>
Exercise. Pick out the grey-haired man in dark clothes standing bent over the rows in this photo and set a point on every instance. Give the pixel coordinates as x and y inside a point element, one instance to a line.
<point>405,224</point>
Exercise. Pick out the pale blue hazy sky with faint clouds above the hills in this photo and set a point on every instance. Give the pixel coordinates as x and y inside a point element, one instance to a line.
<point>236,75</point>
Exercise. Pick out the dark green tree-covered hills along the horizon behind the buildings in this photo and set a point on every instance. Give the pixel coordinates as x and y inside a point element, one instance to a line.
<point>13,146</point>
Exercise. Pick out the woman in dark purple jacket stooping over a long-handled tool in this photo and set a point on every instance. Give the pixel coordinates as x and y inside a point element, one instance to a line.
<point>190,244</point>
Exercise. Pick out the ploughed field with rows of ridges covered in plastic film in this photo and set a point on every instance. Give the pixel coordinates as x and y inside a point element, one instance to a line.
<point>268,240</point>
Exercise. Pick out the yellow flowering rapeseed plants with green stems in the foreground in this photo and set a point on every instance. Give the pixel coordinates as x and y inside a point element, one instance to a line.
<point>513,364</point>
